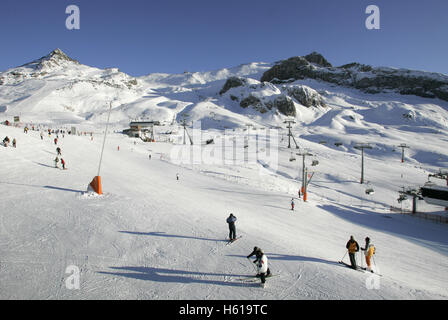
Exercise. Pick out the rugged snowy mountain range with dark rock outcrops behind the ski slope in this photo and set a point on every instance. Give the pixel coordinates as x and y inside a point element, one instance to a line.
<point>327,103</point>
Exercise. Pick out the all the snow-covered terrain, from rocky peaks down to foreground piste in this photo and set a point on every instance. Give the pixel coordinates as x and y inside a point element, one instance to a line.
<point>151,236</point>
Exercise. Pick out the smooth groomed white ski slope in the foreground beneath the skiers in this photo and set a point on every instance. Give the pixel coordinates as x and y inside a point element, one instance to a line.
<point>151,236</point>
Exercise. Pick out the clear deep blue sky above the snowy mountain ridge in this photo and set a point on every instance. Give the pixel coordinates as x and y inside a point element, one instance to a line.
<point>141,37</point>
